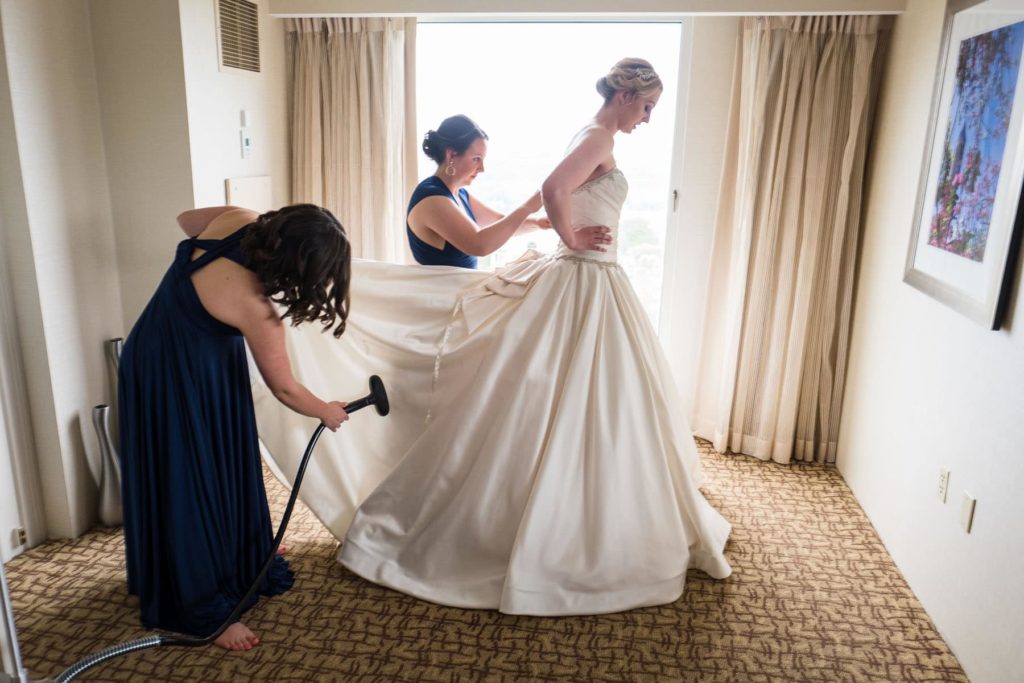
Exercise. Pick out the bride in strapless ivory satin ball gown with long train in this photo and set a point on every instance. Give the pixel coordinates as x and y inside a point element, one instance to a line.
<point>534,462</point>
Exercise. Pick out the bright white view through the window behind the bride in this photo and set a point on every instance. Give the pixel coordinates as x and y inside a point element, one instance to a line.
<point>532,88</point>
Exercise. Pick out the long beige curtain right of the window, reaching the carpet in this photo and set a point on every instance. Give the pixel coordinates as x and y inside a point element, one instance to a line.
<point>777,328</point>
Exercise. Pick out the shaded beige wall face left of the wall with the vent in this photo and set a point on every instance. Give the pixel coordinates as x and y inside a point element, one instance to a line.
<point>142,90</point>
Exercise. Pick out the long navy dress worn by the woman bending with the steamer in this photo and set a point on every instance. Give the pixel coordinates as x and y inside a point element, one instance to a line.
<point>196,519</point>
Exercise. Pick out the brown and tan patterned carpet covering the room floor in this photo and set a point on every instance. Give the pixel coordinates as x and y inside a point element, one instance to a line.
<point>815,597</point>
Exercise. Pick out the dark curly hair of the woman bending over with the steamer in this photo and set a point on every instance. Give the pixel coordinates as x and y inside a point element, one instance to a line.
<point>304,261</point>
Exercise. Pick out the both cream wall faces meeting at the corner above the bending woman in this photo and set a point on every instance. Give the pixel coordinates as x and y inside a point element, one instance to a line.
<point>172,125</point>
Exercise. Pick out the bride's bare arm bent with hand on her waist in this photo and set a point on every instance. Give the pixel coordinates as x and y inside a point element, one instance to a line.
<point>593,150</point>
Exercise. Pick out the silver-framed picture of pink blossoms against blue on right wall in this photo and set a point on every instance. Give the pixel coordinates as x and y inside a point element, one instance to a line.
<point>970,214</point>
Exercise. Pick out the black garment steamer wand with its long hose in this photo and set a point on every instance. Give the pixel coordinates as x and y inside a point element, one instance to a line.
<point>378,399</point>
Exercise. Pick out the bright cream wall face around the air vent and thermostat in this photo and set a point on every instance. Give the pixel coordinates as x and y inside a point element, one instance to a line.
<point>217,98</point>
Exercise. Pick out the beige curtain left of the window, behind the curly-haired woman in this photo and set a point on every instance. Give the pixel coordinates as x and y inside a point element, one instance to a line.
<point>354,126</point>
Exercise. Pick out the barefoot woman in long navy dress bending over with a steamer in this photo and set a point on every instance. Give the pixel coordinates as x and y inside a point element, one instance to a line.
<point>196,517</point>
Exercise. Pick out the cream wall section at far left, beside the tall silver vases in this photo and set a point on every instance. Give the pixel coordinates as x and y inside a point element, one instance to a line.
<point>61,240</point>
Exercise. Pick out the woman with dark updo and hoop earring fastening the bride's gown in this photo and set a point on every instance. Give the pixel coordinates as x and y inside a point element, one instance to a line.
<point>444,231</point>
